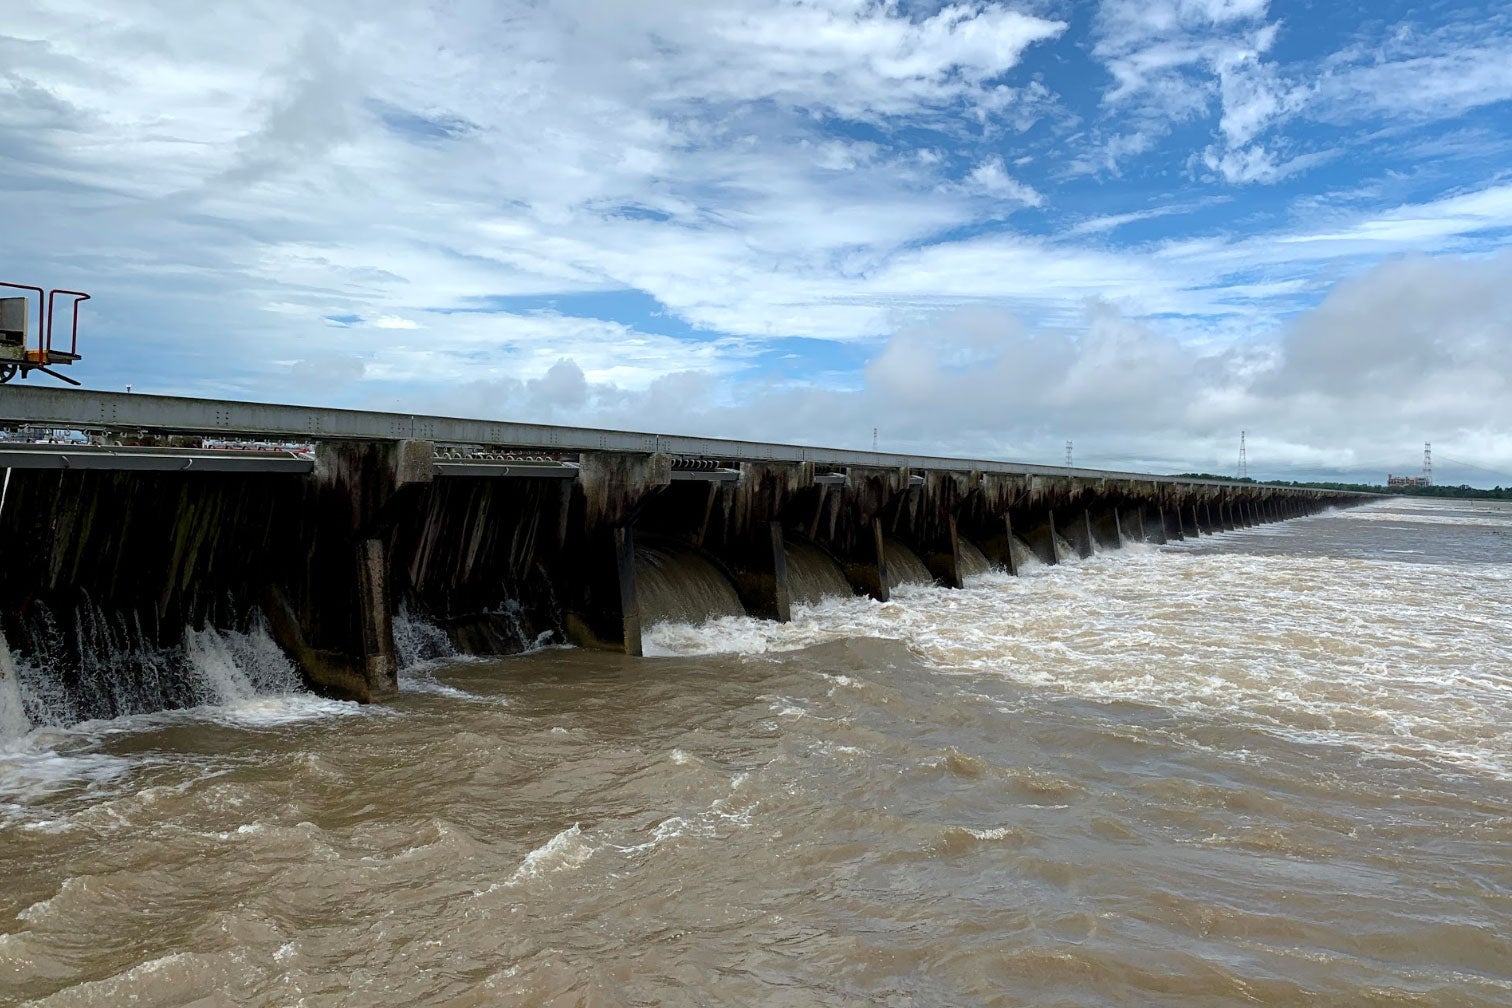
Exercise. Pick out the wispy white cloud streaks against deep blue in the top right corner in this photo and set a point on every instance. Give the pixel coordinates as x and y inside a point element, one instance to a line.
<point>1177,61</point>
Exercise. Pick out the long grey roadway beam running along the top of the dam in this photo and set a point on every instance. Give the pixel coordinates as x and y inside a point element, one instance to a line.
<point>85,410</point>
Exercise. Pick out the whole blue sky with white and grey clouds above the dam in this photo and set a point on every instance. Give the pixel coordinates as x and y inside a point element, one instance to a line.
<point>984,229</point>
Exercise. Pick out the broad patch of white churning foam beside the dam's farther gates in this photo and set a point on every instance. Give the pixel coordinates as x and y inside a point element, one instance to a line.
<point>1402,660</point>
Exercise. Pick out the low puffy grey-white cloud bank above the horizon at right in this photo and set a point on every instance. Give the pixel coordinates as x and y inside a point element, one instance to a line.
<point>1354,388</point>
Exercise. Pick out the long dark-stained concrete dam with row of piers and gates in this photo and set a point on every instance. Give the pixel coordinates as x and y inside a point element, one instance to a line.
<point>321,527</point>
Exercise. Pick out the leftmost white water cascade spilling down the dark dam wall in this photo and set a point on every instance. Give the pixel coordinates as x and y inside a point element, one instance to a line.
<point>113,670</point>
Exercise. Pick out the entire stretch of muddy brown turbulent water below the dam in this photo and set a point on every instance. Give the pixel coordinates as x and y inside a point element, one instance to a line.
<point>1263,768</point>
